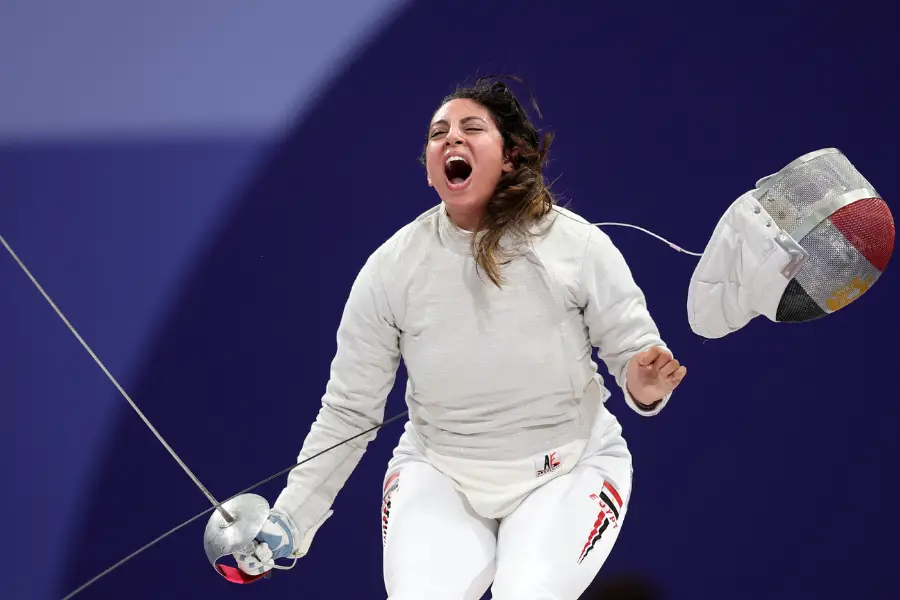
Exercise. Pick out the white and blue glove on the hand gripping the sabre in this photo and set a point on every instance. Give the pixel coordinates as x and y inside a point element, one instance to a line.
<point>275,540</point>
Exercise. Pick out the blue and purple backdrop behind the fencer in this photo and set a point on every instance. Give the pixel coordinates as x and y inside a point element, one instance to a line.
<point>199,214</point>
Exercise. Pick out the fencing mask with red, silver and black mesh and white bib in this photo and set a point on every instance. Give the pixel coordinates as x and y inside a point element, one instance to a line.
<point>806,242</point>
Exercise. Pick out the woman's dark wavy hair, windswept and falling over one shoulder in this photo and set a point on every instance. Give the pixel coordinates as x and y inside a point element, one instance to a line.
<point>522,196</point>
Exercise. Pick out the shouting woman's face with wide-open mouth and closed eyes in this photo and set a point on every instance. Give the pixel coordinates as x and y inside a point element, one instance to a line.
<point>464,157</point>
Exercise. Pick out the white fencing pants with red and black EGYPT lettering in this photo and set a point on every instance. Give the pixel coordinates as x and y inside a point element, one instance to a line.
<point>550,547</point>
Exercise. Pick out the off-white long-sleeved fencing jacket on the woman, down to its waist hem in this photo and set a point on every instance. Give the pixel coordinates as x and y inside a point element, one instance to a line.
<point>493,373</point>
